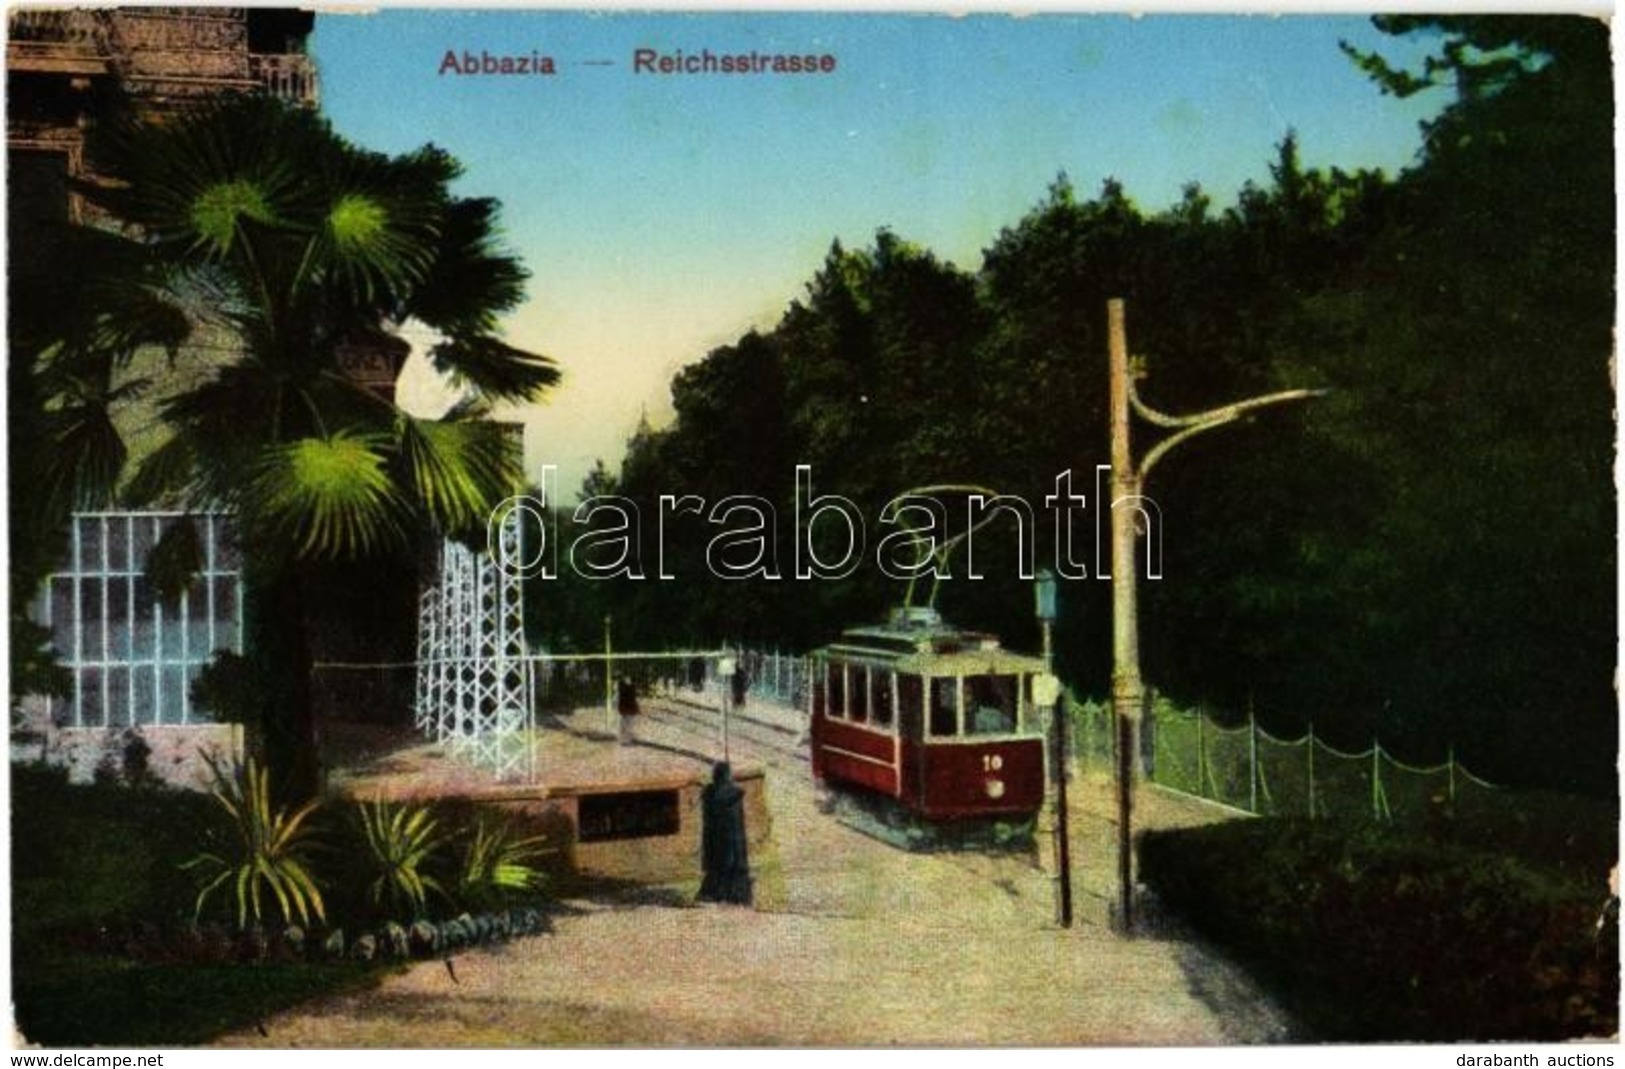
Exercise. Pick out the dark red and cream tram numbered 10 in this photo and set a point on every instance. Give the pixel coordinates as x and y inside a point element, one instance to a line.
<point>940,721</point>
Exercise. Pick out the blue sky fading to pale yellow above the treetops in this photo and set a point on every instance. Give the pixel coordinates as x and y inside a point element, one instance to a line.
<point>665,215</point>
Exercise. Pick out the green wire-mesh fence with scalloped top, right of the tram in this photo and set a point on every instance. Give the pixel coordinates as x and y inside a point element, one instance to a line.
<point>1254,771</point>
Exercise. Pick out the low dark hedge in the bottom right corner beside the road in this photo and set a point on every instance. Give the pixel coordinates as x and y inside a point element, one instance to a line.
<point>1387,935</point>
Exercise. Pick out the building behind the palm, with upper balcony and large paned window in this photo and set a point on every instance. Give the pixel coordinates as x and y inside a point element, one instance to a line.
<point>131,652</point>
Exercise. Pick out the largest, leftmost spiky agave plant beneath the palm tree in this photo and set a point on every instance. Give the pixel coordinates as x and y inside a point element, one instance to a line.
<point>271,849</point>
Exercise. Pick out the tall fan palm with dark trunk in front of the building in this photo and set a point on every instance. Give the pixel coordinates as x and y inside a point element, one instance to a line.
<point>254,222</point>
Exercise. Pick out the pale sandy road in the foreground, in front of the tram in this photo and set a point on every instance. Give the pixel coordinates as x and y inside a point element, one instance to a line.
<point>856,943</point>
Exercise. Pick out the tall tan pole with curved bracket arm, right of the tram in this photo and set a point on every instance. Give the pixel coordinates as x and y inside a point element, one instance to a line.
<point>1129,480</point>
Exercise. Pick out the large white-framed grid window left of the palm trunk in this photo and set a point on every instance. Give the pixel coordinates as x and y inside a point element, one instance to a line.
<point>134,656</point>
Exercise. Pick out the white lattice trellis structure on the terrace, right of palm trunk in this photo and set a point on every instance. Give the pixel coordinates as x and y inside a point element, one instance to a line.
<point>475,683</point>
